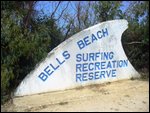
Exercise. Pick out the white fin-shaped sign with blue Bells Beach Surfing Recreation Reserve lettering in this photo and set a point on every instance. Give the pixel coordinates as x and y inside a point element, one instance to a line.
<point>92,56</point>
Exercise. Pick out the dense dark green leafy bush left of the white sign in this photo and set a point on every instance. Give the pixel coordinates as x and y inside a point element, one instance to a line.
<point>23,42</point>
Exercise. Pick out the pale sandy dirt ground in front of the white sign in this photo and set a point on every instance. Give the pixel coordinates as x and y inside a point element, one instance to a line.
<point>126,95</point>
